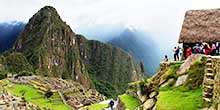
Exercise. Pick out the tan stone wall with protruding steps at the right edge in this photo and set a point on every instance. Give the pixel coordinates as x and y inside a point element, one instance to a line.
<point>211,82</point>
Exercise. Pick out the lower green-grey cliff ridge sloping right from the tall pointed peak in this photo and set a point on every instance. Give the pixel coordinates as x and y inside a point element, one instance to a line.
<point>109,67</point>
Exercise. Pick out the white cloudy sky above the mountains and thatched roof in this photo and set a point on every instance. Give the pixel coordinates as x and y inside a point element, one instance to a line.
<point>161,18</point>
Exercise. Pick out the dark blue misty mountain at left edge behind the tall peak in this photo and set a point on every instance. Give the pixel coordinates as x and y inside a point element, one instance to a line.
<point>9,32</point>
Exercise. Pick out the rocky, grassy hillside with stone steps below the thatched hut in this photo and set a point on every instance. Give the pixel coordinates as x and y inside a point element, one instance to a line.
<point>189,85</point>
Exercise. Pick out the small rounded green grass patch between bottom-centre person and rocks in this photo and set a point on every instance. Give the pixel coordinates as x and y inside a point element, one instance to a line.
<point>131,103</point>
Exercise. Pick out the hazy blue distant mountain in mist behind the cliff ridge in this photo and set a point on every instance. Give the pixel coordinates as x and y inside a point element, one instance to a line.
<point>140,46</point>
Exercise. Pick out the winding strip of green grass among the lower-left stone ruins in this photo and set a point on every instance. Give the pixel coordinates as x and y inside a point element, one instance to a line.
<point>32,96</point>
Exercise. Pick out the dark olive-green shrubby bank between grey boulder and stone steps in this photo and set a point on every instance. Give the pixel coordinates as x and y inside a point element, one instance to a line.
<point>196,74</point>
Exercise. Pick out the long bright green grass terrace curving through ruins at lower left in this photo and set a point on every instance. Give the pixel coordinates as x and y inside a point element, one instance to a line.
<point>34,97</point>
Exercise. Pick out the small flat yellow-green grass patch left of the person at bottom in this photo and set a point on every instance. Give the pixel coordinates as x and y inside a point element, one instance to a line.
<point>95,107</point>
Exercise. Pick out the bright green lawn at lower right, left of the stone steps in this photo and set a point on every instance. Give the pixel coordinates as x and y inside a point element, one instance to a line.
<point>181,98</point>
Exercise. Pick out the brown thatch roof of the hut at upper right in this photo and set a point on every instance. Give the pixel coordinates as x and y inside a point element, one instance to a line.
<point>201,26</point>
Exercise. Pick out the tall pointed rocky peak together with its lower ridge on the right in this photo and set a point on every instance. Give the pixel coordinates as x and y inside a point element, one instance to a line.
<point>52,49</point>
